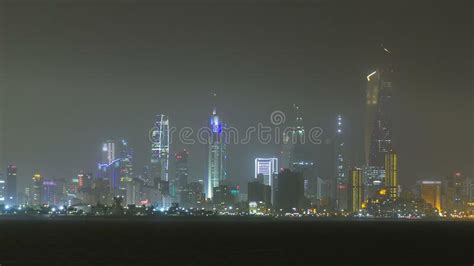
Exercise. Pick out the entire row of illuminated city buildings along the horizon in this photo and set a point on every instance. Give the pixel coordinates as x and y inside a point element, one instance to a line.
<point>285,184</point>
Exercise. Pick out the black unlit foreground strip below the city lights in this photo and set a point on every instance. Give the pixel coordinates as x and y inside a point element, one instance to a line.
<point>220,241</point>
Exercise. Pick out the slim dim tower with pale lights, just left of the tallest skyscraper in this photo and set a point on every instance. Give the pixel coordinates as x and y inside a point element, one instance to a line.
<point>340,182</point>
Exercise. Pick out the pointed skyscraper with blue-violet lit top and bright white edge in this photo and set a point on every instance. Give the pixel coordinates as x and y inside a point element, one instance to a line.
<point>217,154</point>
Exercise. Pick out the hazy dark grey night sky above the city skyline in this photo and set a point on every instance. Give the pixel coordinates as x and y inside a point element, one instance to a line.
<point>77,73</point>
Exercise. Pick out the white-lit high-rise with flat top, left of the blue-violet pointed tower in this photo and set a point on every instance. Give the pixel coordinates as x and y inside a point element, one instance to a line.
<point>160,150</point>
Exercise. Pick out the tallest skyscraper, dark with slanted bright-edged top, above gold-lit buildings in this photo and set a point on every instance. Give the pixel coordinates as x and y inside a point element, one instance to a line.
<point>378,129</point>
